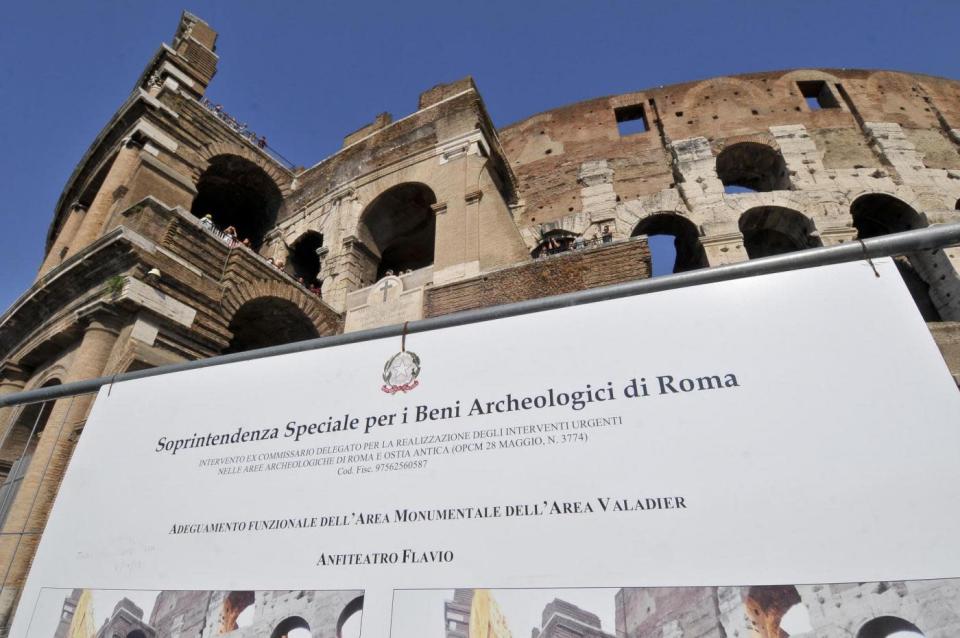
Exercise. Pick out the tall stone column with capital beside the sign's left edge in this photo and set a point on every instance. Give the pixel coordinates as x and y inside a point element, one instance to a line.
<point>31,507</point>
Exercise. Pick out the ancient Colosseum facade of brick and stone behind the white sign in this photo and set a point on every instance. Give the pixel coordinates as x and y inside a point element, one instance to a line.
<point>180,234</point>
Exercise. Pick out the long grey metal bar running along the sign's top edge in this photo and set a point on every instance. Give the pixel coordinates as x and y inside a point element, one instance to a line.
<point>931,238</point>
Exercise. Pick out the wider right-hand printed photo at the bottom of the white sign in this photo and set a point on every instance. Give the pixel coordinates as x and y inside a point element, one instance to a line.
<point>896,609</point>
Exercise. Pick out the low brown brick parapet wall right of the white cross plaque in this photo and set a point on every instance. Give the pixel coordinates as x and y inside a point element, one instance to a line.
<point>553,275</point>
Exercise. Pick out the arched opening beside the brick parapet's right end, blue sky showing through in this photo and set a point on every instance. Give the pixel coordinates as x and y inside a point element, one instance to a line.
<point>674,243</point>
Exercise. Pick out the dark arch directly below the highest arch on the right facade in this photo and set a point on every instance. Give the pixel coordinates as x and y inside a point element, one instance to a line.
<point>774,230</point>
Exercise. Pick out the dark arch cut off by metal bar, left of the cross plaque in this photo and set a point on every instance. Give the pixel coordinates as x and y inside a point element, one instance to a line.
<point>269,321</point>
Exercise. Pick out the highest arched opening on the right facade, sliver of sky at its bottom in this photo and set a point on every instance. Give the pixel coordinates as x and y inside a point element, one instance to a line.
<point>752,167</point>
